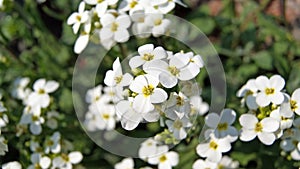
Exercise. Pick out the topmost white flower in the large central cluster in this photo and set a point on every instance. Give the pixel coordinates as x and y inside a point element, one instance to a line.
<point>147,53</point>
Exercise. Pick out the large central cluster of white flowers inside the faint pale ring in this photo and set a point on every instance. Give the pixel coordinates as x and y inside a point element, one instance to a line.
<point>141,96</point>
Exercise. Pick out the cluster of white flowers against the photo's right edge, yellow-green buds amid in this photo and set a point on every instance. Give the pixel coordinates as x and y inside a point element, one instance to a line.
<point>271,113</point>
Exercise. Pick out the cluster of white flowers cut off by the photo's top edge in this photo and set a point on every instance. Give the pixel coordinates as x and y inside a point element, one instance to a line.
<point>111,20</point>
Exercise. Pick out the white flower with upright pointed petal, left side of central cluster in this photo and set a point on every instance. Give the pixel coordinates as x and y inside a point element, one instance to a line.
<point>116,77</point>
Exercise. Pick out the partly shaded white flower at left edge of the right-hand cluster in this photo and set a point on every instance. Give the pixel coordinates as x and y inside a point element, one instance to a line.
<point>249,92</point>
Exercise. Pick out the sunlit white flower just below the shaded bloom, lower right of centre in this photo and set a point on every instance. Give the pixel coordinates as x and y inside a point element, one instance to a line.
<point>214,148</point>
